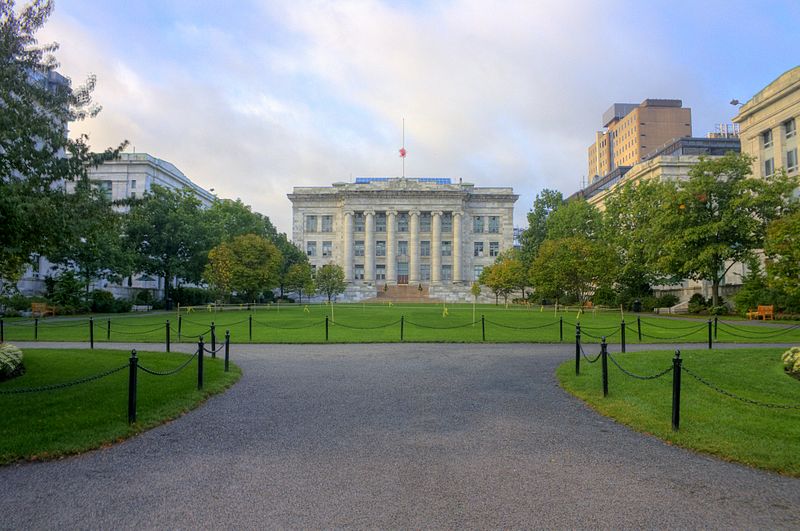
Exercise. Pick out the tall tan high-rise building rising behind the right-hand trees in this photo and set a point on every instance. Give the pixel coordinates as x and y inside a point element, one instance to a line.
<point>632,131</point>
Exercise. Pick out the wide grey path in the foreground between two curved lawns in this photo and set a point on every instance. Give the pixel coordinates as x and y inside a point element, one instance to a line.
<point>394,436</point>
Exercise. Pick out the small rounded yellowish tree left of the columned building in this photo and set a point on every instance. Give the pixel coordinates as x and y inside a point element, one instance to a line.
<point>248,265</point>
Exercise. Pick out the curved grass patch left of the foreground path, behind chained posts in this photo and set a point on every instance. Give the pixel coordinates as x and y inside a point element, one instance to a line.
<point>55,423</point>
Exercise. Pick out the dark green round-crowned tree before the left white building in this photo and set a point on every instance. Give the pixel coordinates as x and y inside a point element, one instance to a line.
<point>169,235</point>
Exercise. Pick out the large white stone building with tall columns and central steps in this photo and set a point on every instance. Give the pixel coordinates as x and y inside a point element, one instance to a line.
<point>396,231</point>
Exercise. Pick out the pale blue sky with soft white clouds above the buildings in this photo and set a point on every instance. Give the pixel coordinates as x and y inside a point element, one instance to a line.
<point>252,98</point>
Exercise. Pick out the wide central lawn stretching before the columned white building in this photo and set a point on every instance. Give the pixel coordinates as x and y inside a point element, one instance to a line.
<point>366,323</point>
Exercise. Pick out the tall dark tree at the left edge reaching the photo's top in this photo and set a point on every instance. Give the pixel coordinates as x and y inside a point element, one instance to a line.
<point>38,158</point>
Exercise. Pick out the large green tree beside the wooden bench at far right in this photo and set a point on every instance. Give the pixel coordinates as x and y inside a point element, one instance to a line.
<point>716,217</point>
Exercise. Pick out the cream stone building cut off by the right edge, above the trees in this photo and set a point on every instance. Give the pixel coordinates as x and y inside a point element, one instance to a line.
<point>768,125</point>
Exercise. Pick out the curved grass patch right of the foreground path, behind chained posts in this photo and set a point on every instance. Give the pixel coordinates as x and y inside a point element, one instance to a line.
<point>710,422</point>
